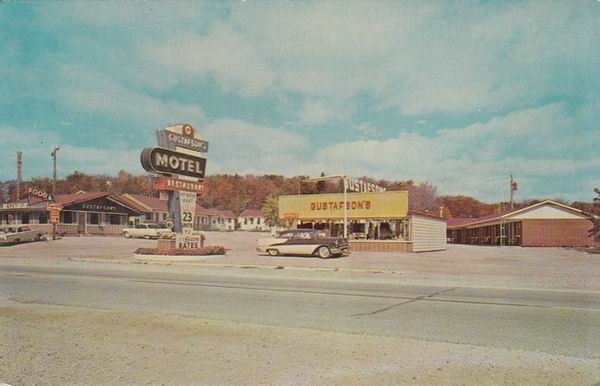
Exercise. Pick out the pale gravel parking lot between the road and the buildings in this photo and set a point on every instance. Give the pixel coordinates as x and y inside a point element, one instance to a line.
<point>509,267</point>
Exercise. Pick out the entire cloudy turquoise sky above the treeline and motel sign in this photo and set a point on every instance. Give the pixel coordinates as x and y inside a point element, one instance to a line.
<point>457,93</point>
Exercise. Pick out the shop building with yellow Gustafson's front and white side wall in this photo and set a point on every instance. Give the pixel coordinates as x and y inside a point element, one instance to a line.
<point>377,221</point>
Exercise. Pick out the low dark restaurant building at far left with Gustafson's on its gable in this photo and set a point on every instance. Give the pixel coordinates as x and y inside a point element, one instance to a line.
<point>84,213</point>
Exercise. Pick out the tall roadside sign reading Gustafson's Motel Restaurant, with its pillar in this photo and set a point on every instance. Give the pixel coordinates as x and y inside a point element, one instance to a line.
<point>179,166</point>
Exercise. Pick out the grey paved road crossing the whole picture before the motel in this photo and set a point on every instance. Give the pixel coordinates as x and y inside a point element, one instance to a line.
<point>549,321</point>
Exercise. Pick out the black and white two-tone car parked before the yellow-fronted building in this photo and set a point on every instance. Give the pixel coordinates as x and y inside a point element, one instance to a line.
<point>303,242</point>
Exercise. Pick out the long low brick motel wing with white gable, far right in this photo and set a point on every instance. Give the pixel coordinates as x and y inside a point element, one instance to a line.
<point>545,224</point>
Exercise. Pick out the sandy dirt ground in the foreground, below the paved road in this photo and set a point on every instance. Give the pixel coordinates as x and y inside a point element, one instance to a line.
<point>76,346</point>
